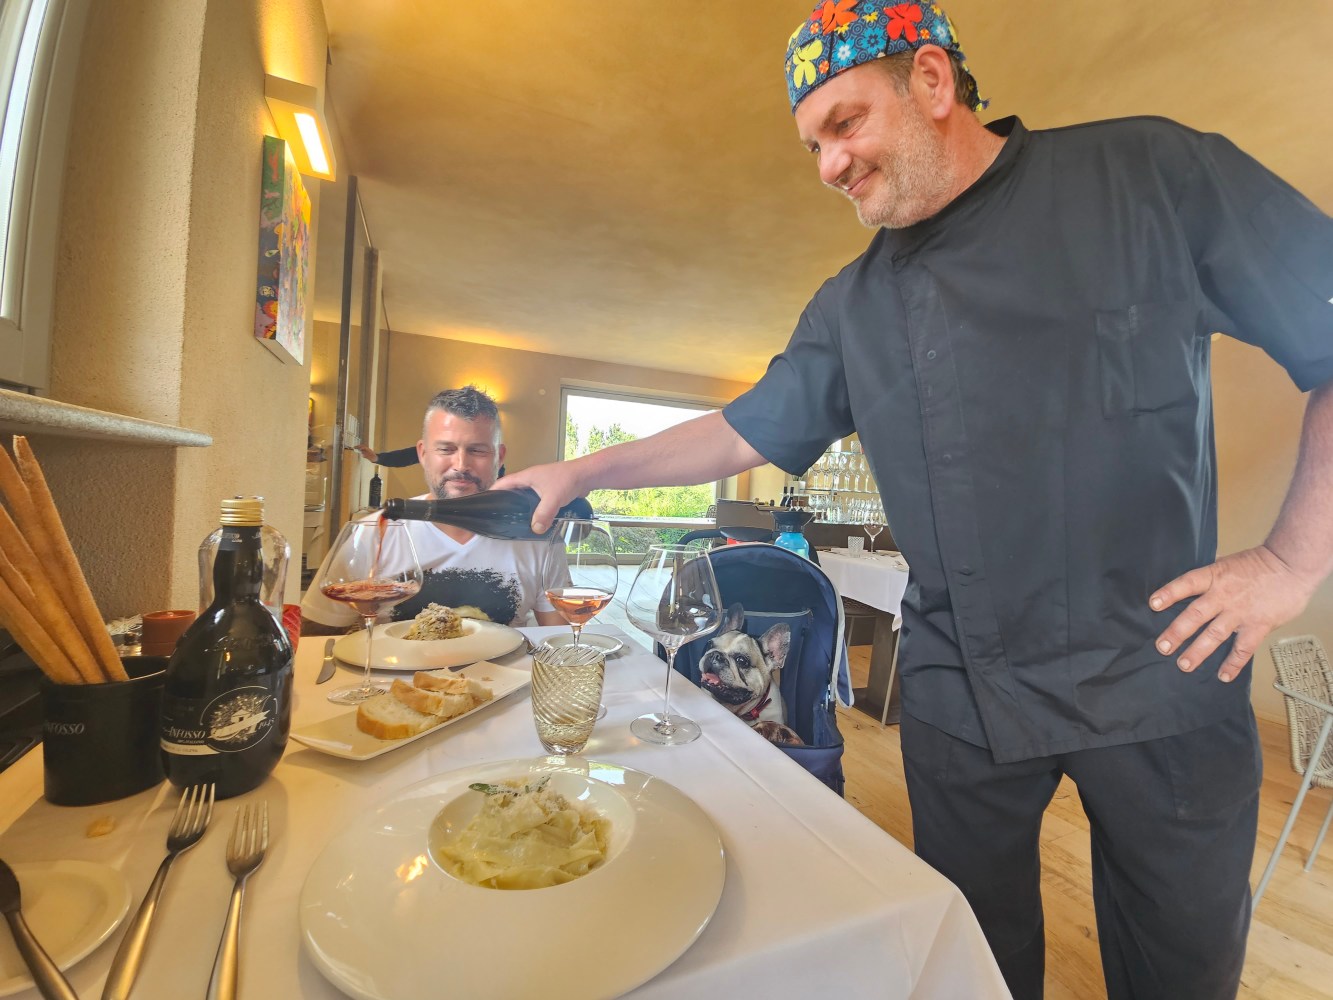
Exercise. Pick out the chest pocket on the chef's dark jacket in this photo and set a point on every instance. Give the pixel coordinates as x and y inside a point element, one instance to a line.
<point>1148,358</point>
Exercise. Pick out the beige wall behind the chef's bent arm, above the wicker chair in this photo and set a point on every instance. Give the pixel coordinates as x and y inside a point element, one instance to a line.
<point>1259,425</point>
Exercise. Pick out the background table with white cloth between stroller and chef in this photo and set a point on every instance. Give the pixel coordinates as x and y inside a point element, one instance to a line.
<point>879,582</point>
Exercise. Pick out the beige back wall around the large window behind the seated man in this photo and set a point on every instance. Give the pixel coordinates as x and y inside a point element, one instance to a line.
<point>526,385</point>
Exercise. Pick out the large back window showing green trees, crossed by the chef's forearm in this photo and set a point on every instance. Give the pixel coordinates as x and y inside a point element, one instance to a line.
<point>595,421</point>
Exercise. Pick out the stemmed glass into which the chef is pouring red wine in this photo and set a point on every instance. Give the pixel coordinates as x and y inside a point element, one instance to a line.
<point>374,566</point>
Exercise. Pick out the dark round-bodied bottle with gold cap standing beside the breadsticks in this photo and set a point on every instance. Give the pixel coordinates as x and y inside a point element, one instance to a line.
<point>227,695</point>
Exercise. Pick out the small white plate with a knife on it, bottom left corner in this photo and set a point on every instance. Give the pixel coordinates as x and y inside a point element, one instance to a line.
<point>71,907</point>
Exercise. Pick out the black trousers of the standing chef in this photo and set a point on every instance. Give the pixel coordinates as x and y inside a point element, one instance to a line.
<point>1172,826</point>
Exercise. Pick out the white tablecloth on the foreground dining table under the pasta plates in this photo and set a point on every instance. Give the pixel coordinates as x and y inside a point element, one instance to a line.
<point>819,902</point>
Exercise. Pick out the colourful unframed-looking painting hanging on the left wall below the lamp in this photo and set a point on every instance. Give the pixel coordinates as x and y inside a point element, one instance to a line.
<point>285,255</point>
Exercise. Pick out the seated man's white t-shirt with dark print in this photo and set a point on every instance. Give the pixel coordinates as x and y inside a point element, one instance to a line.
<point>507,581</point>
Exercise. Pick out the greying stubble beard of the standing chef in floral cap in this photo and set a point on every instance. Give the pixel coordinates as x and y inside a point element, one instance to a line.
<point>914,177</point>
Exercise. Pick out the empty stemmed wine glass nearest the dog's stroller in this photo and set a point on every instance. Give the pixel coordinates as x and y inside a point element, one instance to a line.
<point>674,599</point>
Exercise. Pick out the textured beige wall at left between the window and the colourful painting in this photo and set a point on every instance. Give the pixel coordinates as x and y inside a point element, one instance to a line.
<point>155,289</point>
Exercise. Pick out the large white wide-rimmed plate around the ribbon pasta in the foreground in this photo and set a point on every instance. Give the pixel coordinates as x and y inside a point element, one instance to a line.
<point>383,922</point>
